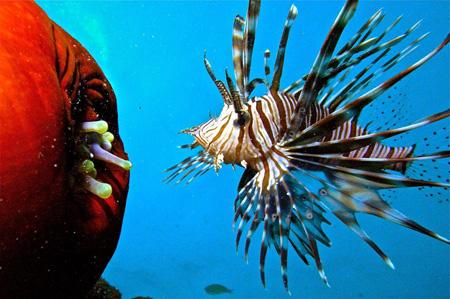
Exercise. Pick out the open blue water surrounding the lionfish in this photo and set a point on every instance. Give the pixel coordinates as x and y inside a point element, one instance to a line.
<point>176,239</point>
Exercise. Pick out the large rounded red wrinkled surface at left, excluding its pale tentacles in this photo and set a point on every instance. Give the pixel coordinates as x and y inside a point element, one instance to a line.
<point>54,237</point>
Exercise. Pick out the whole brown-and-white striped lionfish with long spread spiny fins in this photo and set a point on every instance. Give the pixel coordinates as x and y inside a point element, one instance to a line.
<point>309,129</point>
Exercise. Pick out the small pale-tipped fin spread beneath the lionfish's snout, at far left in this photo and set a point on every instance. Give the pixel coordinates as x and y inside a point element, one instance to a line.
<point>190,168</point>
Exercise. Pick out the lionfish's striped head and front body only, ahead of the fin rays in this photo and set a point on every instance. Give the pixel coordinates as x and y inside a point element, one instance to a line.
<point>269,119</point>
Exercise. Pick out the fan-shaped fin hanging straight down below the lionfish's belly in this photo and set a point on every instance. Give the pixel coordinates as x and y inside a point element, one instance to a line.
<point>289,212</point>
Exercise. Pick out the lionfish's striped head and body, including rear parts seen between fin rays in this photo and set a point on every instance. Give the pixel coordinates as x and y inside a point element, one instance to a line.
<point>270,117</point>
